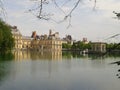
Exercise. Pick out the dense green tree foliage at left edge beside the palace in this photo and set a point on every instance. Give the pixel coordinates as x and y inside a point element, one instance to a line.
<point>6,40</point>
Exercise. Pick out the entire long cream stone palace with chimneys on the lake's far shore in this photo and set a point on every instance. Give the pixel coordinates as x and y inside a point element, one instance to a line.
<point>45,42</point>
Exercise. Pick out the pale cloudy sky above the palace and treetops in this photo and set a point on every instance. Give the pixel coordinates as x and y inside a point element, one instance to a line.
<point>94,24</point>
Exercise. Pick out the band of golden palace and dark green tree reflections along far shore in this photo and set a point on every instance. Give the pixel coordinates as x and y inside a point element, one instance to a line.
<point>55,55</point>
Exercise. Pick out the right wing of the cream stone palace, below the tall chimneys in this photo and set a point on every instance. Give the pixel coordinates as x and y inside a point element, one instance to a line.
<point>49,42</point>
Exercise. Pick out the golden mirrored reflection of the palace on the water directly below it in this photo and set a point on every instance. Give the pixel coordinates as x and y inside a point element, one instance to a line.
<point>35,55</point>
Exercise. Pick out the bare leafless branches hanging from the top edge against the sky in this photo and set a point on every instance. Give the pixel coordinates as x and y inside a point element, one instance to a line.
<point>47,16</point>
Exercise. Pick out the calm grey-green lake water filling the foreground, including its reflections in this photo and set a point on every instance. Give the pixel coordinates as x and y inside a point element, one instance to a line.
<point>58,71</point>
